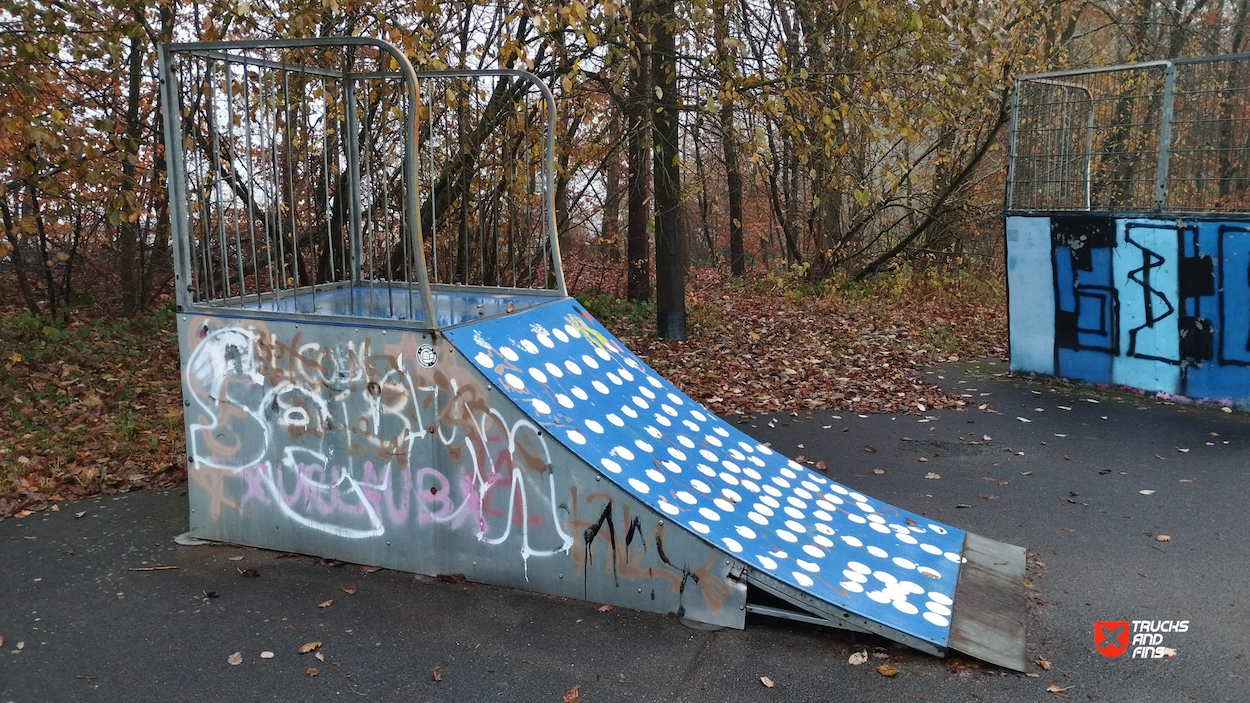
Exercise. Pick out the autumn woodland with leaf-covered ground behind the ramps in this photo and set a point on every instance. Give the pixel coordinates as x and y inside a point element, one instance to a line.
<point>818,182</point>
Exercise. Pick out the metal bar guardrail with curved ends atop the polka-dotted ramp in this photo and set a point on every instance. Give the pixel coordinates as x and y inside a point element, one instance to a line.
<point>328,177</point>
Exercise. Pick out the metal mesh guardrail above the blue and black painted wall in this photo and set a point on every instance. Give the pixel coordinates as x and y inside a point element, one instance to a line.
<point>1158,137</point>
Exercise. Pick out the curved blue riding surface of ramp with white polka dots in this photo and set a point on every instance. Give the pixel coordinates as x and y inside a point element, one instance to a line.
<point>604,405</point>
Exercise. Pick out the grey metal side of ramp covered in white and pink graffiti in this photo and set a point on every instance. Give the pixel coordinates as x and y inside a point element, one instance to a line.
<point>384,447</point>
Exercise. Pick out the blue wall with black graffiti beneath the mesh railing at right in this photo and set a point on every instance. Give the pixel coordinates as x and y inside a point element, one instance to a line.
<point>1162,306</point>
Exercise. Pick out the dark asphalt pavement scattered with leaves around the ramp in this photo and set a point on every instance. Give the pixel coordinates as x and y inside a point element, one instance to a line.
<point>1132,510</point>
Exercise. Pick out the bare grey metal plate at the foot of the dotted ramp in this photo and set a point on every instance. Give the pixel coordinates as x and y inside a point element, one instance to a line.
<point>988,620</point>
